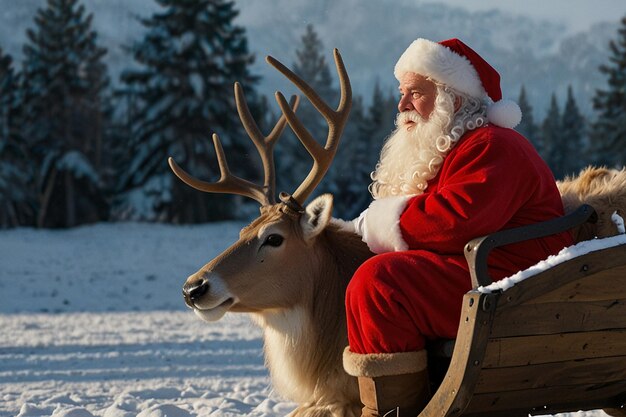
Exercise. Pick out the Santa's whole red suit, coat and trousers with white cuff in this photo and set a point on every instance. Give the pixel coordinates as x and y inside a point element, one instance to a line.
<point>492,180</point>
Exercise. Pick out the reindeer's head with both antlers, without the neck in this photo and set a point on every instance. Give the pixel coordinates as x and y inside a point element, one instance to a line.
<point>269,266</point>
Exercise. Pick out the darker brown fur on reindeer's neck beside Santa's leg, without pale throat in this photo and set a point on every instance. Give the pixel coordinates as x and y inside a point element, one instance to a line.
<point>340,255</point>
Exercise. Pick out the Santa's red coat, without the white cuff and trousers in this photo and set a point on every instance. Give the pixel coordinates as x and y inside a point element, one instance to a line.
<point>492,180</point>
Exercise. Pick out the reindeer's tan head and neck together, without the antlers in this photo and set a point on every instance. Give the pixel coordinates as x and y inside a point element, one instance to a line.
<point>295,292</point>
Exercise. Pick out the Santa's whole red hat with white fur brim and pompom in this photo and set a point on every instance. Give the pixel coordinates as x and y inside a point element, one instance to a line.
<point>455,64</point>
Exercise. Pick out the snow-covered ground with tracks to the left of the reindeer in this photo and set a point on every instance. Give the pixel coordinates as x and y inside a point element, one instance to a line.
<point>92,323</point>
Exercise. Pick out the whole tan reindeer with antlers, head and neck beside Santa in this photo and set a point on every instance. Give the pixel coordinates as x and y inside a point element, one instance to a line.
<point>291,266</point>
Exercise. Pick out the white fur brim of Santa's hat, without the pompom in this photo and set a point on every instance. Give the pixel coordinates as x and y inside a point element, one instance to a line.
<point>440,63</point>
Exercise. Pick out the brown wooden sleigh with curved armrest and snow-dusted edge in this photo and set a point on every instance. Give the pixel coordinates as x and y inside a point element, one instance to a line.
<point>554,342</point>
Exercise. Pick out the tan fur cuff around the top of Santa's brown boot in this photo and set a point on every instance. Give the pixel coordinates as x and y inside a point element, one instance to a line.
<point>374,365</point>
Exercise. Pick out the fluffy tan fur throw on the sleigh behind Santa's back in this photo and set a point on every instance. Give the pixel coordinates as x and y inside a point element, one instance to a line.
<point>602,188</point>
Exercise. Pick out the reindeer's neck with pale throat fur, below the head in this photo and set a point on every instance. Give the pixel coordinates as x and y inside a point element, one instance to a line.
<point>304,344</point>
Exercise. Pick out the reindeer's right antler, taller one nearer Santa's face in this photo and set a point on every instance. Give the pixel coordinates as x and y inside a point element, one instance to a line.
<point>322,156</point>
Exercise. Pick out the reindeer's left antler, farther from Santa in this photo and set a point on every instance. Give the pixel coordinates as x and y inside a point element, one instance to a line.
<point>230,184</point>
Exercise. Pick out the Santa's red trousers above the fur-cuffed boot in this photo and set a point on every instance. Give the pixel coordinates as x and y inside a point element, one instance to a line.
<point>398,300</point>
